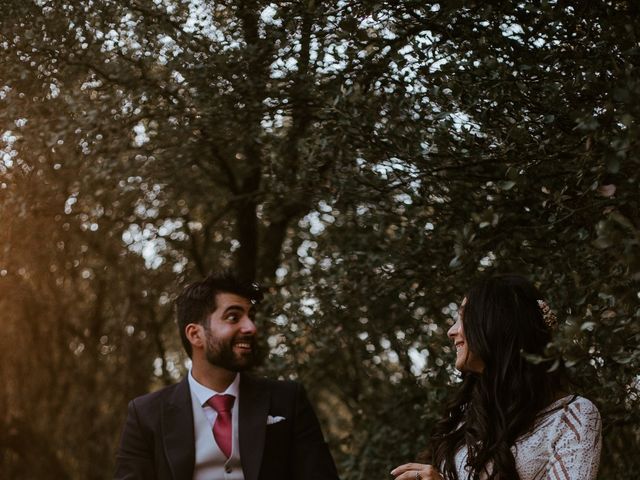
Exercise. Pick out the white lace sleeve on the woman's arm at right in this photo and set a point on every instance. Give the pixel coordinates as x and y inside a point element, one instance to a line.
<point>576,449</point>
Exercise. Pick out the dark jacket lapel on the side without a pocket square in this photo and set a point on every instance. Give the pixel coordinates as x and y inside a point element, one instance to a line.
<point>177,432</point>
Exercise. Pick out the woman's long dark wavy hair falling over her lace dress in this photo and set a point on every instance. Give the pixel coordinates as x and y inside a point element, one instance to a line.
<point>502,323</point>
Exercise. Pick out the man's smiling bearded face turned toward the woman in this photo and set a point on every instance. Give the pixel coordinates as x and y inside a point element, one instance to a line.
<point>230,333</point>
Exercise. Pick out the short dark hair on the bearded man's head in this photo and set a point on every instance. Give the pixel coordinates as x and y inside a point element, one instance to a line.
<point>198,300</point>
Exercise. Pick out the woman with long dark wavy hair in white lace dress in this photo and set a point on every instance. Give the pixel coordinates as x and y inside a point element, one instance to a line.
<point>512,417</point>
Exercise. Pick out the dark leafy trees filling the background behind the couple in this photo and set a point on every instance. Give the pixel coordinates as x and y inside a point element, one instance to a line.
<point>367,160</point>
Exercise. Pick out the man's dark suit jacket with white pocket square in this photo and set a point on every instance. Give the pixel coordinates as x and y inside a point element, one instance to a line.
<point>158,437</point>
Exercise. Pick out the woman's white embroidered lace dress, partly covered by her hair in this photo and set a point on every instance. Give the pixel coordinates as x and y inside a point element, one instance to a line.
<point>564,444</point>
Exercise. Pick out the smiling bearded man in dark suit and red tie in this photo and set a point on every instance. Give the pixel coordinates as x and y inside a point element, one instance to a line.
<point>219,423</point>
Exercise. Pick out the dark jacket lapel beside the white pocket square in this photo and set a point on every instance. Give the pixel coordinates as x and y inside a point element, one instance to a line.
<point>254,409</point>
